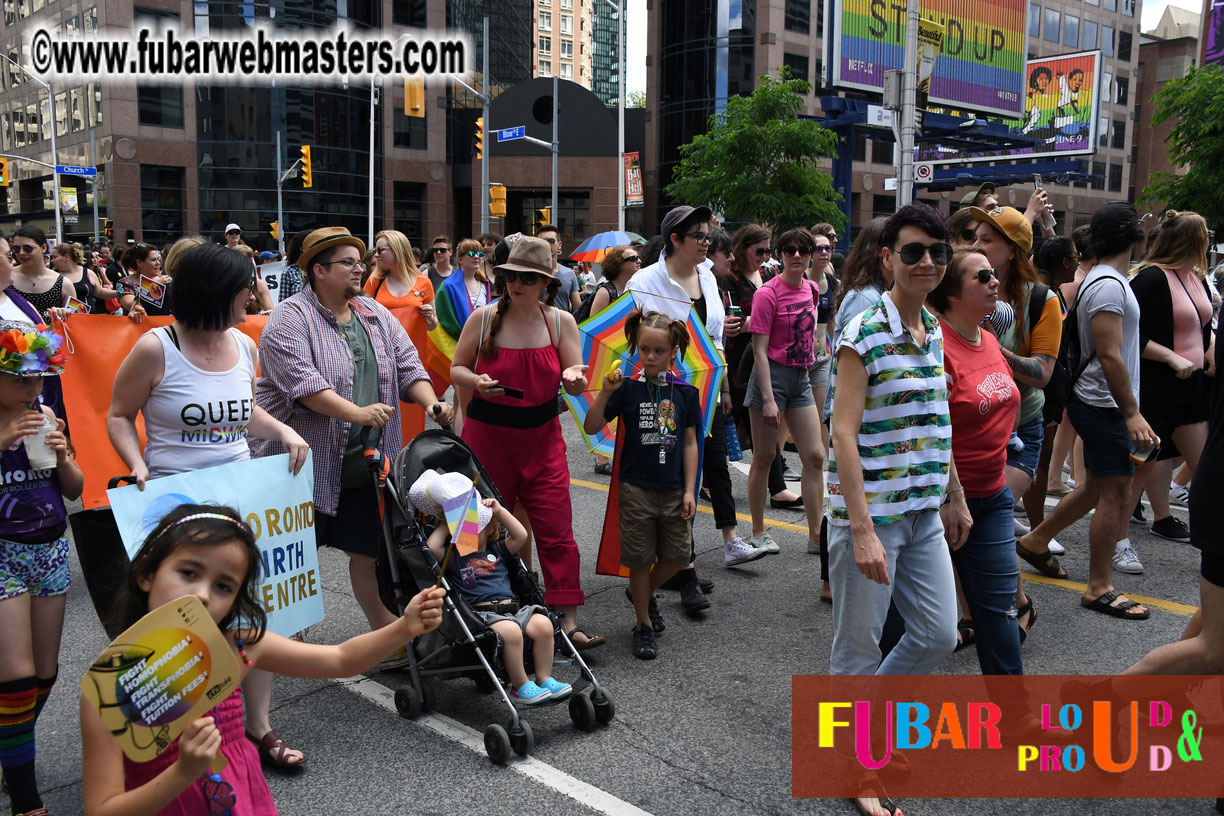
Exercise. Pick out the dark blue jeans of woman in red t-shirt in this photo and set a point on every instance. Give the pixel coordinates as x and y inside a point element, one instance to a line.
<point>988,571</point>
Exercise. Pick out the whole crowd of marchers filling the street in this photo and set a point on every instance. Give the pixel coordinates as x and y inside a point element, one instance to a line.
<point>930,385</point>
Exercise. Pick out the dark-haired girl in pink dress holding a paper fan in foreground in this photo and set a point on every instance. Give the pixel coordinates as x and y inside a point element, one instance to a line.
<point>210,552</point>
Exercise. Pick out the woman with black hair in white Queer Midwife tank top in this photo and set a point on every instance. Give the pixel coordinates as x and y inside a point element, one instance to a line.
<point>195,384</point>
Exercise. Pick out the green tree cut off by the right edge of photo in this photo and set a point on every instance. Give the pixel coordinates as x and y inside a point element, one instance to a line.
<point>1195,106</point>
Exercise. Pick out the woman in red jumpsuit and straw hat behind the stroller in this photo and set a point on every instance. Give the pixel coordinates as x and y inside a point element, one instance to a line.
<point>512,357</point>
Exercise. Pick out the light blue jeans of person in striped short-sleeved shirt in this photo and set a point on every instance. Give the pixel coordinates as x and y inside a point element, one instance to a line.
<point>921,587</point>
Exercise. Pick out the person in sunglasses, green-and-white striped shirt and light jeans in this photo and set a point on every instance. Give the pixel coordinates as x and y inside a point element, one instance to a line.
<point>890,470</point>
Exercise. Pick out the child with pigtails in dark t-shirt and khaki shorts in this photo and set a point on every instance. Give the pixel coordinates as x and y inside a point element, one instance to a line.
<point>658,472</point>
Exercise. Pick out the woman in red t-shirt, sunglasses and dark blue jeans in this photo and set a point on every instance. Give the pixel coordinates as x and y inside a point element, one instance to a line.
<point>983,403</point>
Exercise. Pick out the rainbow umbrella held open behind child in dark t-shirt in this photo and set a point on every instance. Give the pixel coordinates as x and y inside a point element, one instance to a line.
<point>604,343</point>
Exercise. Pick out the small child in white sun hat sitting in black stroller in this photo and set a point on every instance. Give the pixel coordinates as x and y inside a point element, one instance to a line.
<point>483,580</point>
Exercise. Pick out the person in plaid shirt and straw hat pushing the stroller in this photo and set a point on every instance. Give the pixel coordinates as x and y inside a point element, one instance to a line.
<point>335,362</point>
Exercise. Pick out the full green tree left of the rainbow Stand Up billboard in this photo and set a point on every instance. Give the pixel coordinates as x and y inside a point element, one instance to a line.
<point>761,162</point>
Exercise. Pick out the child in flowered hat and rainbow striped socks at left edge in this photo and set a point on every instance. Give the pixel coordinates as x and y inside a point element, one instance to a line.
<point>34,551</point>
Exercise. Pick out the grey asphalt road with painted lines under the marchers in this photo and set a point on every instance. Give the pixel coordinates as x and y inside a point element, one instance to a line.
<point>703,730</point>
